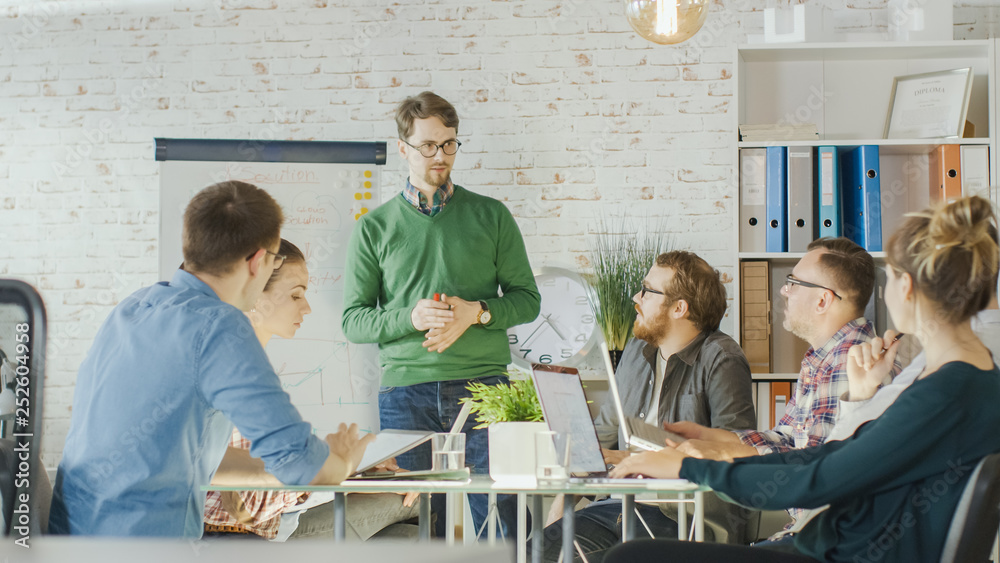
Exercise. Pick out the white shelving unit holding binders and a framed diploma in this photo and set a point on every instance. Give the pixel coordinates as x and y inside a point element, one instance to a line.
<point>844,88</point>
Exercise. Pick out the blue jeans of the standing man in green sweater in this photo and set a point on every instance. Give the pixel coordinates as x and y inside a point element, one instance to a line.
<point>434,406</point>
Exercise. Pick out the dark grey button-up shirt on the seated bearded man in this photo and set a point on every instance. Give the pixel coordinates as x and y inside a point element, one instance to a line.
<point>708,382</point>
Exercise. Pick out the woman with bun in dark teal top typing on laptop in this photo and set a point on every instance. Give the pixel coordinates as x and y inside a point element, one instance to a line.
<point>893,486</point>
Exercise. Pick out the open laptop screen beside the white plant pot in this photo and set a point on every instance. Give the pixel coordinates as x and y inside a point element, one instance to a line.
<point>565,407</point>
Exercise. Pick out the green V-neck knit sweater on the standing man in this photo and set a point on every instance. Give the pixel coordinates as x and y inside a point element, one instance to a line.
<point>398,256</point>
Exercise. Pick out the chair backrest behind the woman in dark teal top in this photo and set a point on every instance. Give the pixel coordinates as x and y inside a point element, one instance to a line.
<point>974,526</point>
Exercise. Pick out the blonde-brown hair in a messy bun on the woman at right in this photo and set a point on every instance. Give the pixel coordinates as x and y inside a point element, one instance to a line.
<point>951,254</point>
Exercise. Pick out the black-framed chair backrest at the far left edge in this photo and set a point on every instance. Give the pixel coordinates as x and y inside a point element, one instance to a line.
<point>23,332</point>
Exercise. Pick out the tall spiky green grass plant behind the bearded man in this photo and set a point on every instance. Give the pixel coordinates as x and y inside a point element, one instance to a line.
<point>621,256</point>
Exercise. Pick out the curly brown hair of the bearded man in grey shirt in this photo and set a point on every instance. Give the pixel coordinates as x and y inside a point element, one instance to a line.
<point>698,284</point>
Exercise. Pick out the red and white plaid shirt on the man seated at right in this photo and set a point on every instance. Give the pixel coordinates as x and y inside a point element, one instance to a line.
<point>811,413</point>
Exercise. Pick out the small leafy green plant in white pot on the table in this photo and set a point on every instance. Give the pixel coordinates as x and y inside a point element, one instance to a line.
<point>513,414</point>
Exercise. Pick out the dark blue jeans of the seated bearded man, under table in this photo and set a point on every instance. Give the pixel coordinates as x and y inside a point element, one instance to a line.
<point>598,528</point>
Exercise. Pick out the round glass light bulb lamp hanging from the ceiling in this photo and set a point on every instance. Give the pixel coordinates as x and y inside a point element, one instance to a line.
<point>666,22</point>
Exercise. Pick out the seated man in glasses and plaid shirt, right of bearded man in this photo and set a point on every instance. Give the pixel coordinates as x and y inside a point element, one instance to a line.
<point>825,298</point>
